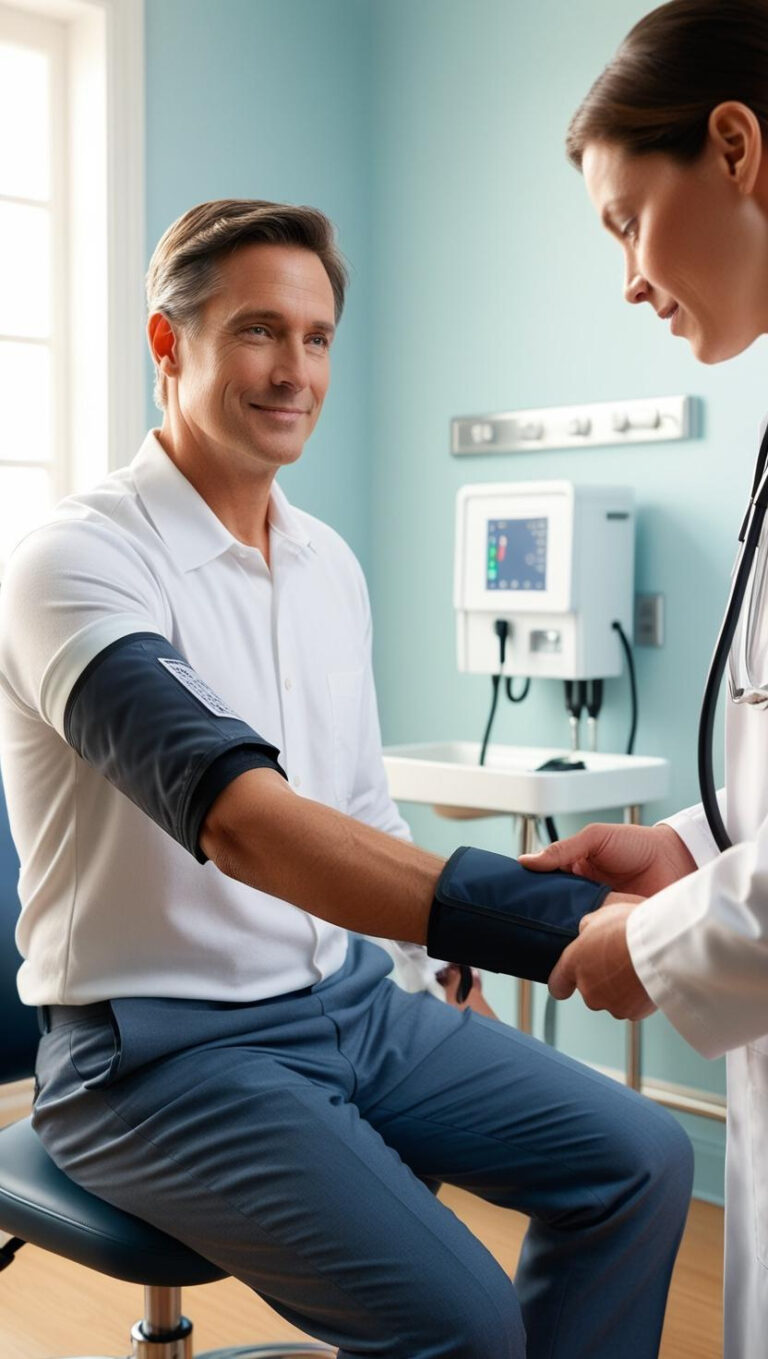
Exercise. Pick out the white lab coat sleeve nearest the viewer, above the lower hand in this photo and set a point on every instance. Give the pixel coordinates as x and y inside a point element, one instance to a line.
<point>701,949</point>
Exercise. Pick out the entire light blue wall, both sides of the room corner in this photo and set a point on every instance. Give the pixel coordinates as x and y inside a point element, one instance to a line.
<point>432,131</point>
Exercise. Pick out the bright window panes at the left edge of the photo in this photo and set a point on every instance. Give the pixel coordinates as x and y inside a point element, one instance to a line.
<point>33,274</point>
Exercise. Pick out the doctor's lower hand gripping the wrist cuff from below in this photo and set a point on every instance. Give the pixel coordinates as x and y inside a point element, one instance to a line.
<point>599,964</point>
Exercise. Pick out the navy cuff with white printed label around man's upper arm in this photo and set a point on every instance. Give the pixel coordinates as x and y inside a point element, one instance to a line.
<point>142,717</point>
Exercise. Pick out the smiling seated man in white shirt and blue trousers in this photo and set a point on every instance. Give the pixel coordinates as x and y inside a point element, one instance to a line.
<point>186,667</point>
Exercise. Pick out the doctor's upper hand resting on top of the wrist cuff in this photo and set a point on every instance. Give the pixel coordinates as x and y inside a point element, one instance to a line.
<point>637,860</point>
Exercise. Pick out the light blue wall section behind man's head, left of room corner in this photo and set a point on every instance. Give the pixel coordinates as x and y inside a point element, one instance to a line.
<point>270,100</point>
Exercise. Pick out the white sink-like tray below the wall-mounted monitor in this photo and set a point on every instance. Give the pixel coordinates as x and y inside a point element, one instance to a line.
<point>447,774</point>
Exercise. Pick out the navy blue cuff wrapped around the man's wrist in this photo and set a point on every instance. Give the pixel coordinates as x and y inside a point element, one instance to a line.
<point>491,913</point>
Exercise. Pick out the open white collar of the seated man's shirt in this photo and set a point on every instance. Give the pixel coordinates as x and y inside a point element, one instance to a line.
<point>186,521</point>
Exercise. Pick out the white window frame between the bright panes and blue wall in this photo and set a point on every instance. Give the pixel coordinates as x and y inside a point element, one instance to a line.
<point>104,44</point>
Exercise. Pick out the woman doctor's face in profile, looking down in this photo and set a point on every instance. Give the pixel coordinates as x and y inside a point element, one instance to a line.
<point>695,248</point>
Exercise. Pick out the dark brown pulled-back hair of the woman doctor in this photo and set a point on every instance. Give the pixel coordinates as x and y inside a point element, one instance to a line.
<point>672,70</point>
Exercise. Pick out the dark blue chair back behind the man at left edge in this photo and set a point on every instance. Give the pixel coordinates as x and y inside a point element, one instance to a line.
<point>18,1024</point>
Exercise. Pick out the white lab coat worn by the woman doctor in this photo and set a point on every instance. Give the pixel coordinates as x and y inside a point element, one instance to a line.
<point>701,949</point>
